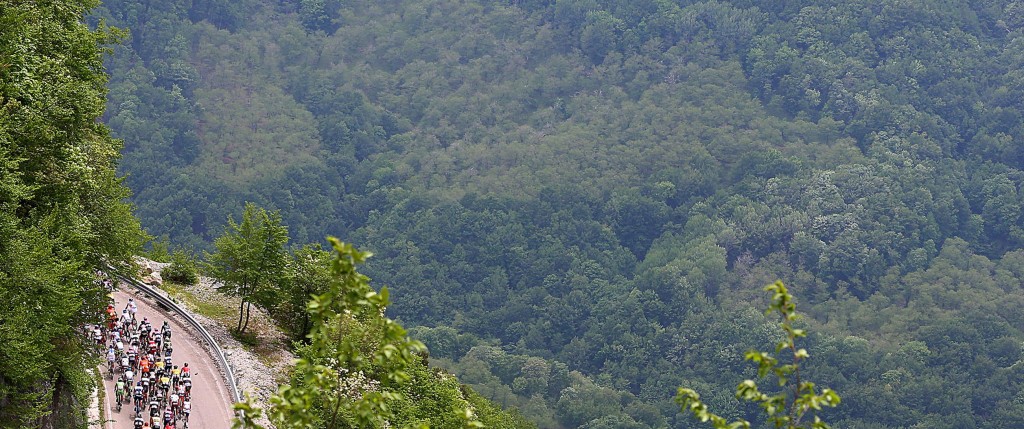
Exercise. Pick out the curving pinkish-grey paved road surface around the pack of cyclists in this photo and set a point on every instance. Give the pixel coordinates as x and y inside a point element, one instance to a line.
<point>211,399</point>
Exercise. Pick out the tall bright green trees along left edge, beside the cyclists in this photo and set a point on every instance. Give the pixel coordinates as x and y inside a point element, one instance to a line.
<point>63,210</point>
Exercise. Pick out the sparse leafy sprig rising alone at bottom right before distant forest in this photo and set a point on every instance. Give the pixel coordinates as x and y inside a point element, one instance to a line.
<point>797,398</point>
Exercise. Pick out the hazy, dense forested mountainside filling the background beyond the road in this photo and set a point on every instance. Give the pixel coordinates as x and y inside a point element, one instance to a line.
<point>576,203</point>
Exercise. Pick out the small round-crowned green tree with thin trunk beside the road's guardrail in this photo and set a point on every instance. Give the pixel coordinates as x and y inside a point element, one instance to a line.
<point>250,261</point>
